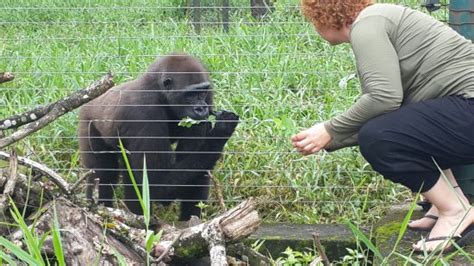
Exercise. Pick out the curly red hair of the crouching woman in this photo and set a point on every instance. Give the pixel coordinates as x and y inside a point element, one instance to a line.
<point>333,13</point>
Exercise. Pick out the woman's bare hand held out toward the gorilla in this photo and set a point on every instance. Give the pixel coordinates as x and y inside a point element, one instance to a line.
<point>311,140</point>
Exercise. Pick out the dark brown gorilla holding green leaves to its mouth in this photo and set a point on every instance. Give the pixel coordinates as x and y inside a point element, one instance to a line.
<point>144,114</point>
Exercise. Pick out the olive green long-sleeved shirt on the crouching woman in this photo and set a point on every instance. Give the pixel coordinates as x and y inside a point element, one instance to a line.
<point>402,56</point>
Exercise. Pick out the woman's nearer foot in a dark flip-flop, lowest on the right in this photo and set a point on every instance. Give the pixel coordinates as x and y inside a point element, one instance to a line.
<point>449,224</point>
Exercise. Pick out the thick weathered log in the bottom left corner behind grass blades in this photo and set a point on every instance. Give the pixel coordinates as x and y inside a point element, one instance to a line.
<point>82,234</point>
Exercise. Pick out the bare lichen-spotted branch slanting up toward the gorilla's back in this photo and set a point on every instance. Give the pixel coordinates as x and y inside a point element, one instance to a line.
<point>56,110</point>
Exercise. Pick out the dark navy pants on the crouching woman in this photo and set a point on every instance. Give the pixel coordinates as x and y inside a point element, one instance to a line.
<point>401,145</point>
